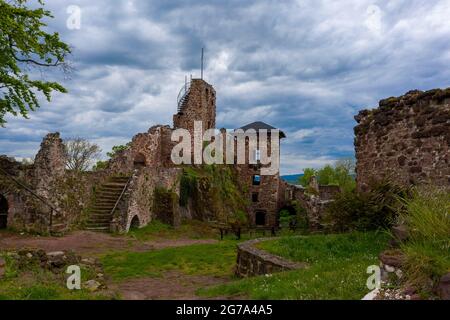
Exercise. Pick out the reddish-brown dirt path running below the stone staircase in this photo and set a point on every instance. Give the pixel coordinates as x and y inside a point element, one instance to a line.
<point>86,242</point>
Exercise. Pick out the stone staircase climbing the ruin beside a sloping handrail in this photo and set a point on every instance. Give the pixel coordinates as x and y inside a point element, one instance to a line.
<point>107,196</point>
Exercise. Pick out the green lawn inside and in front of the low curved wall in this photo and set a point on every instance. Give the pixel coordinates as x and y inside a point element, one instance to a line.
<point>337,269</point>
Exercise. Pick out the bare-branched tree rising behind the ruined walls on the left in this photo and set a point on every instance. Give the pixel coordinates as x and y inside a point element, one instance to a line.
<point>80,153</point>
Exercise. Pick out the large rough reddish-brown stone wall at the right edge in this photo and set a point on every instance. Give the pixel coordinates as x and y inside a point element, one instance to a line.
<point>407,137</point>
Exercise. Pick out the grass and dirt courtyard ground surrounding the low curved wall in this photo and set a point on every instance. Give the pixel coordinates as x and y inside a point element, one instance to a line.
<point>159,262</point>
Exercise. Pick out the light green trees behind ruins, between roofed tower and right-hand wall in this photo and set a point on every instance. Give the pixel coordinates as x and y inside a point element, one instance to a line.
<point>339,175</point>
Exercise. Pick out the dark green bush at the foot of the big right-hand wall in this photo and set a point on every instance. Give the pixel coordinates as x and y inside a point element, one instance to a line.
<point>375,209</point>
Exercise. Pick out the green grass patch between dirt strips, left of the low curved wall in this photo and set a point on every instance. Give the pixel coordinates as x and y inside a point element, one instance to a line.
<point>203,259</point>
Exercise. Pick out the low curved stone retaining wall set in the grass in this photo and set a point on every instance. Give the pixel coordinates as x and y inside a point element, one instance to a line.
<point>253,262</point>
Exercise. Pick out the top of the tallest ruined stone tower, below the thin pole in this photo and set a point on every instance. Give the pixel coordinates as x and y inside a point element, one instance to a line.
<point>196,102</point>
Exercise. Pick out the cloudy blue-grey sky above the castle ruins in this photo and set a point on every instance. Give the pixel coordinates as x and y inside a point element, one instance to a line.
<point>305,66</point>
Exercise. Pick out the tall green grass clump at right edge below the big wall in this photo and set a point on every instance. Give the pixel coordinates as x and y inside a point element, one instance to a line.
<point>427,251</point>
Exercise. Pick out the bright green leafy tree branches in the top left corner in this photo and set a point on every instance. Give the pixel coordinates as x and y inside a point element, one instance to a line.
<point>25,45</point>
